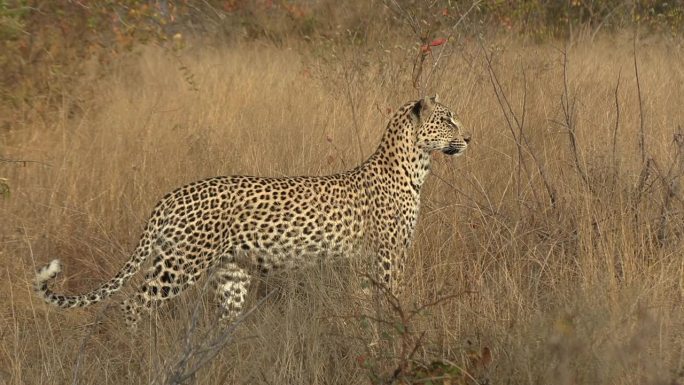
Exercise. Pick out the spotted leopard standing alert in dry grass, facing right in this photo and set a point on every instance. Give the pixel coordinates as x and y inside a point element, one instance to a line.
<point>241,227</point>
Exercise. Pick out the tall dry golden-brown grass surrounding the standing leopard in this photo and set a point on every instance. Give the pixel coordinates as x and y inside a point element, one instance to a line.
<point>585,290</point>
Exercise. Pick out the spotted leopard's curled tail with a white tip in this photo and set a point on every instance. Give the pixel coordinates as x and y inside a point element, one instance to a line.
<point>51,270</point>
